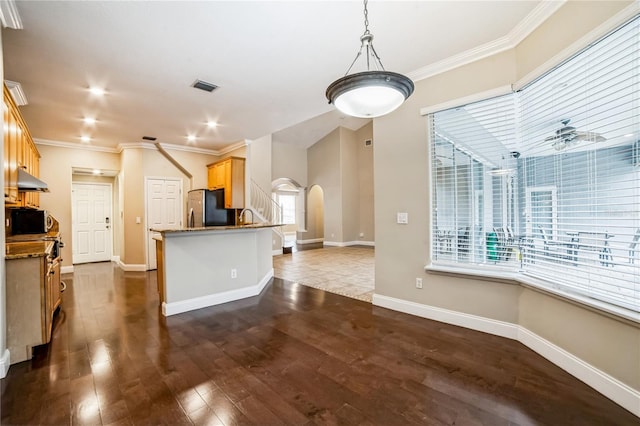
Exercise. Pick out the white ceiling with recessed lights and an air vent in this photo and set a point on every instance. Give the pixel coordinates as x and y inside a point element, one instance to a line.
<point>272,61</point>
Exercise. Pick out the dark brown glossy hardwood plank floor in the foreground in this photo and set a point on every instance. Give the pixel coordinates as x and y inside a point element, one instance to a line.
<point>293,355</point>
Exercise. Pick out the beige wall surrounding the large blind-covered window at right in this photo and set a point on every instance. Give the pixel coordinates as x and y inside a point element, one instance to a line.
<point>402,184</point>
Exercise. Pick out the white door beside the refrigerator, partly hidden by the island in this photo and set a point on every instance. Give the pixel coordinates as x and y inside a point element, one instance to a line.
<point>163,211</point>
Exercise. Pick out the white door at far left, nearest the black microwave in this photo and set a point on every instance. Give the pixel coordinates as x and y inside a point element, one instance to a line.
<point>91,222</point>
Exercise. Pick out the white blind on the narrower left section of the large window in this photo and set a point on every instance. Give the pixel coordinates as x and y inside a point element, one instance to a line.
<point>474,179</point>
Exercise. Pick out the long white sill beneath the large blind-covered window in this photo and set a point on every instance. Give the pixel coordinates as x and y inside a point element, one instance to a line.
<point>509,276</point>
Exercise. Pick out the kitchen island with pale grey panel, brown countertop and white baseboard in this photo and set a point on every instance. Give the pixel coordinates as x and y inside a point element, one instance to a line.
<point>200,267</point>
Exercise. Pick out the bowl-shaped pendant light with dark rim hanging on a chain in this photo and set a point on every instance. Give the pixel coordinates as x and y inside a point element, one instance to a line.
<point>371,93</point>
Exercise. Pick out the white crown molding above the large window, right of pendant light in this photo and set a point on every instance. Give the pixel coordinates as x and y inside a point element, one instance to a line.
<point>525,27</point>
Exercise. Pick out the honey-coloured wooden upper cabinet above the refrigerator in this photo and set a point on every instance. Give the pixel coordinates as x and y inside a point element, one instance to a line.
<point>228,174</point>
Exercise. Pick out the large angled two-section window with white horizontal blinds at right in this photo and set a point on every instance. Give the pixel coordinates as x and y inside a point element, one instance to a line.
<point>546,181</point>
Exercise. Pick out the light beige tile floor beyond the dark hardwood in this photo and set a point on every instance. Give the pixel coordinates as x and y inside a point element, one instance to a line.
<point>348,271</point>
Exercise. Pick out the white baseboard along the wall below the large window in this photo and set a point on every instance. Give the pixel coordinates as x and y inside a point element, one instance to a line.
<point>612,388</point>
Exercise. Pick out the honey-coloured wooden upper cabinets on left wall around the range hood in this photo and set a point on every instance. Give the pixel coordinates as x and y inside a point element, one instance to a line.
<point>19,152</point>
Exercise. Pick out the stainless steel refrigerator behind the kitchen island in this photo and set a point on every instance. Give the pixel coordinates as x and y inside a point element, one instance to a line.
<point>206,208</point>
